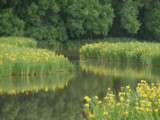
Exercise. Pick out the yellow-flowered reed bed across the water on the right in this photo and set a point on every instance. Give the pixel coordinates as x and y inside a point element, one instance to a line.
<point>126,52</point>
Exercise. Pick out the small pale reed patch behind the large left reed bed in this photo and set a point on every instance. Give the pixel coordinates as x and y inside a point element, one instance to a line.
<point>19,41</point>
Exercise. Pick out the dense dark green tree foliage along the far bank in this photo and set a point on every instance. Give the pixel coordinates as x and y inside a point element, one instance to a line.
<point>61,20</point>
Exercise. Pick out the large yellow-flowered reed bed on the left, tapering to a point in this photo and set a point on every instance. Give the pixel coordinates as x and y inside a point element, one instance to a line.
<point>30,61</point>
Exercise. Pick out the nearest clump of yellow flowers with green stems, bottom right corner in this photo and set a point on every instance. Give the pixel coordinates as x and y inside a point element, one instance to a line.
<point>142,103</point>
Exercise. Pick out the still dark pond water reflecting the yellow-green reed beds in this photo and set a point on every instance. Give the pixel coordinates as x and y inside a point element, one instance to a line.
<point>60,96</point>
